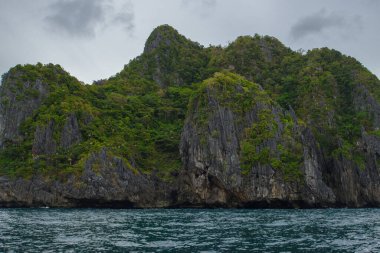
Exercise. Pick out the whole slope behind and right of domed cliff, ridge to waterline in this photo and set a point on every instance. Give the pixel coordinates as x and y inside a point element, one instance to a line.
<point>334,95</point>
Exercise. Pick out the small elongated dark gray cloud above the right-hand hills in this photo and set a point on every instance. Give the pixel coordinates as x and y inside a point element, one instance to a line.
<point>321,21</point>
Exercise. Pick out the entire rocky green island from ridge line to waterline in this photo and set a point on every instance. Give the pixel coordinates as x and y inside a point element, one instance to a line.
<point>252,124</point>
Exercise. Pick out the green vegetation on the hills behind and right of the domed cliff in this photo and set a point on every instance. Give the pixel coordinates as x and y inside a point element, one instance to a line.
<point>322,86</point>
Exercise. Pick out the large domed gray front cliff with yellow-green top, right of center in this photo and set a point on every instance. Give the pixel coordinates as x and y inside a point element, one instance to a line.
<point>212,148</point>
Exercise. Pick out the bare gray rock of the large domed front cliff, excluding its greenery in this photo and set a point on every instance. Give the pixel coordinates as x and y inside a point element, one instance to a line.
<point>212,172</point>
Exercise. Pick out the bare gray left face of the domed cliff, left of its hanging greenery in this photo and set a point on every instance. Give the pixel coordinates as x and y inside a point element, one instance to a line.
<point>212,164</point>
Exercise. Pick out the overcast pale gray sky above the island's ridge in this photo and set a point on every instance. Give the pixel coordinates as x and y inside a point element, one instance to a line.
<point>93,39</point>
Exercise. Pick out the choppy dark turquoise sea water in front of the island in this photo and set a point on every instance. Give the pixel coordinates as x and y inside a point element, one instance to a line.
<point>189,230</point>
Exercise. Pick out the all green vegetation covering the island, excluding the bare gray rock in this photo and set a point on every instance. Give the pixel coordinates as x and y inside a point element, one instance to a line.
<point>139,113</point>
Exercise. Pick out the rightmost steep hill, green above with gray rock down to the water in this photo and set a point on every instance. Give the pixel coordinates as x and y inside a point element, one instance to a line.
<point>345,118</point>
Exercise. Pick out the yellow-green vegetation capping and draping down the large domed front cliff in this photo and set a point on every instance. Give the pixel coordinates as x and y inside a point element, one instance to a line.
<point>266,141</point>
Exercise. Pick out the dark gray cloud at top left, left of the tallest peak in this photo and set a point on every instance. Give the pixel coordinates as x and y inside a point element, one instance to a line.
<point>81,18</point>
